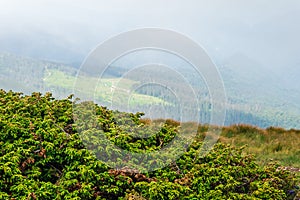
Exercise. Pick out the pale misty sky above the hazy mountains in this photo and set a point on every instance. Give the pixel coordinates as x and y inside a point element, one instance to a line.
<point>65,30</point>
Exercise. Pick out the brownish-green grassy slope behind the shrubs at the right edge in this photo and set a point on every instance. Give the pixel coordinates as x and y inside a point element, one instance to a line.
<point>269,144</point>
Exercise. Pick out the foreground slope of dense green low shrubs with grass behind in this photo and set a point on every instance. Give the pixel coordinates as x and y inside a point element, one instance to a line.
<point>43,156</point>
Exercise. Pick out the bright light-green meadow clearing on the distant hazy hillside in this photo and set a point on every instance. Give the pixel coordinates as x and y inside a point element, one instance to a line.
<point>106,90</point>
